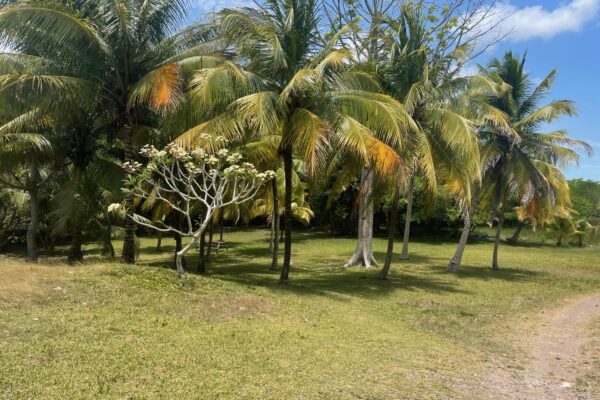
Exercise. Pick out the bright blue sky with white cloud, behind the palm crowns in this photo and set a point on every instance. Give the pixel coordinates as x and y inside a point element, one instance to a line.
<point>561,34</point>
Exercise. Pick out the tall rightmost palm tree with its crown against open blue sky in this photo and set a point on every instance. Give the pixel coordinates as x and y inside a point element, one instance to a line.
<point>516,165</point>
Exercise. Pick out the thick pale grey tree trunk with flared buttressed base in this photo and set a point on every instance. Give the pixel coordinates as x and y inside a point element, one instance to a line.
<point>363,254</point>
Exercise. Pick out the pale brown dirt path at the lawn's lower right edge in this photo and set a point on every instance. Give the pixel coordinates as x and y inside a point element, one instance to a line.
<point>553,359</point>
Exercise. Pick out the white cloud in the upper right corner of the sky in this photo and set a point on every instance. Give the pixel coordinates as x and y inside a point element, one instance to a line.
<point>538,22</point>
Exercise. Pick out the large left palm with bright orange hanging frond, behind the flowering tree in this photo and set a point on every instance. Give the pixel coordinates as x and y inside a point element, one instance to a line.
<point>124,58</point>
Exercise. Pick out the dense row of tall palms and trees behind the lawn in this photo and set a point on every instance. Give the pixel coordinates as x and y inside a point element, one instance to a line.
<point>367,97</point>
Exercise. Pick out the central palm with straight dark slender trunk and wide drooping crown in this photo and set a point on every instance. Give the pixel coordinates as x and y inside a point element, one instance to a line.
<point>287,80</point>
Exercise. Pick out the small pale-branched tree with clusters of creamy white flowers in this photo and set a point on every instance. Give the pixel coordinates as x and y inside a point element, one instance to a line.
<point>193,183</point>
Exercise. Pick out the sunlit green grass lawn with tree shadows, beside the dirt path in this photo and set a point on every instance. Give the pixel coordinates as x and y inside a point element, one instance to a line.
<point>109,331</point>
